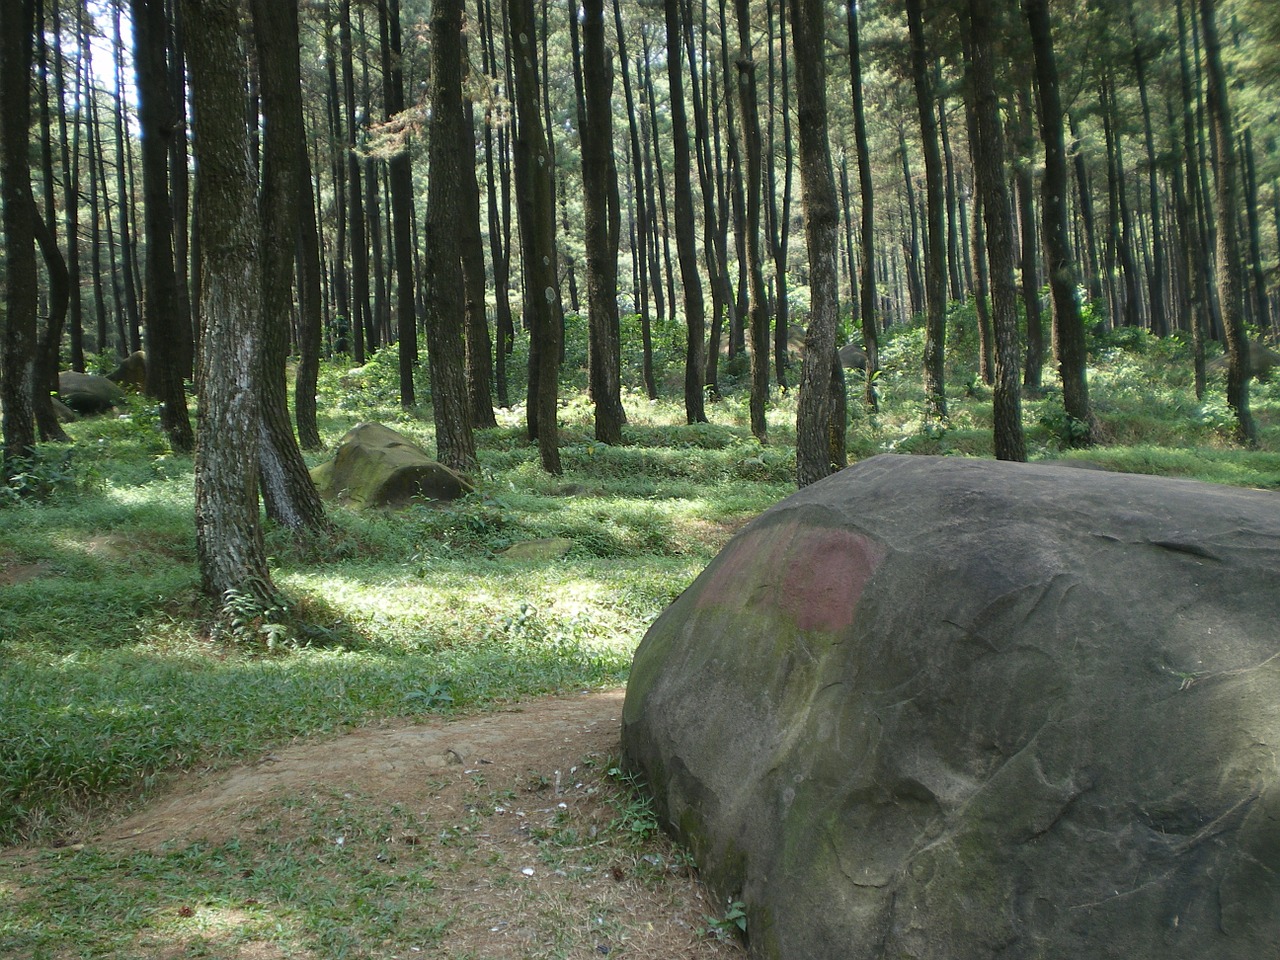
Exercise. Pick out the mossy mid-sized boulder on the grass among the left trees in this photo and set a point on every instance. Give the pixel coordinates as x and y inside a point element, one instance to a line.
<point>374,467</point>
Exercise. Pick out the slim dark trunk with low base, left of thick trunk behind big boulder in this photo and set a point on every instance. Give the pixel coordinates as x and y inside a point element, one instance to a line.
<point>758,305</point>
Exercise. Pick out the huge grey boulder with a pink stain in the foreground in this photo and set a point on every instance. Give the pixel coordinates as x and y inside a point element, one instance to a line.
<point>950,710</point>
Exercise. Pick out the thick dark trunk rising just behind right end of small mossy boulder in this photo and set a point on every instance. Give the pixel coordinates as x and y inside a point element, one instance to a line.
<point>446,314</point>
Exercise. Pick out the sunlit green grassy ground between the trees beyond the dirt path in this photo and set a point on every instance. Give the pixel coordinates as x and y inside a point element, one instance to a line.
<point>109,679</point>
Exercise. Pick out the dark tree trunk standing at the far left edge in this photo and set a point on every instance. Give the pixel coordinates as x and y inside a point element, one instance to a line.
<point>17,29</point>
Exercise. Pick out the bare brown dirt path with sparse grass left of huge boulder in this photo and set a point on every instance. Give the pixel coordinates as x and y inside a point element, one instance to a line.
<point>514,824</point>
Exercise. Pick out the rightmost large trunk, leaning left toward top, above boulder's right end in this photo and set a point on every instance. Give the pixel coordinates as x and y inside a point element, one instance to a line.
<point>1231,287</point>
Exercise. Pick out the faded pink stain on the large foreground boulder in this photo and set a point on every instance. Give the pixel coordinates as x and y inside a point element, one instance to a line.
<point>815,575</point>
